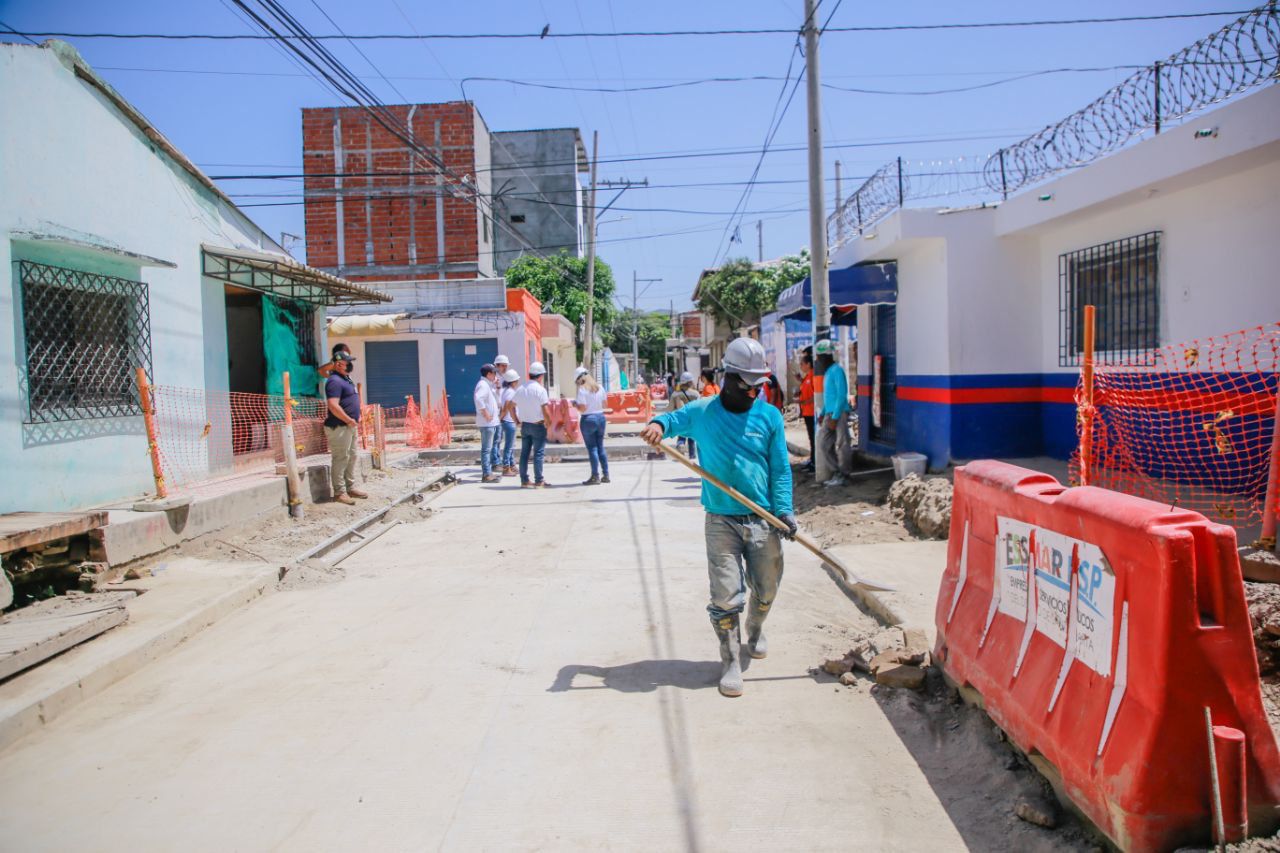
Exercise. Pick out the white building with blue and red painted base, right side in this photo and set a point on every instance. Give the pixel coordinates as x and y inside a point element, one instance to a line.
<point>1173,238</point>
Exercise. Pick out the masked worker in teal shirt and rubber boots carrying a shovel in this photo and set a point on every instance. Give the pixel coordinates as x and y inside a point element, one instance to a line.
<point>743,444</point>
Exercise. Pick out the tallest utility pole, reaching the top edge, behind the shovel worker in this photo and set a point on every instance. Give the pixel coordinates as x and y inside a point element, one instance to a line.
<point>817,216</point>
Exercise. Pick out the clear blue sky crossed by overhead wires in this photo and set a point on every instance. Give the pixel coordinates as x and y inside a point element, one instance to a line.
<point>245,118</point>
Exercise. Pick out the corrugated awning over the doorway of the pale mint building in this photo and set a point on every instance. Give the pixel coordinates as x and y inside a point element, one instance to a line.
<point>282,276</point>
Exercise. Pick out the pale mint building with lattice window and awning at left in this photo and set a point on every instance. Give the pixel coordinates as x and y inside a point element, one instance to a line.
<point>118,253</point>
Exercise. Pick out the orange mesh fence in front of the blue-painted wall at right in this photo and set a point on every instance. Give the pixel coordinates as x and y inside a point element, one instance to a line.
<point>1192,426</point>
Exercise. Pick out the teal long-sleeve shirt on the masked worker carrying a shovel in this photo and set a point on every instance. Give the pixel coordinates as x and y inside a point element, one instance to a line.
<point>747,451</point>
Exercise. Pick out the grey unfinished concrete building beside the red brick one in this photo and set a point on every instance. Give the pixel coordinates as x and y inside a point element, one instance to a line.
<point>536,177</point>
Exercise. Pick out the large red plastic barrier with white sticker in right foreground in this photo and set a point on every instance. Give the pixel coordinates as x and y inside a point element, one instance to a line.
<point>1136,624</point>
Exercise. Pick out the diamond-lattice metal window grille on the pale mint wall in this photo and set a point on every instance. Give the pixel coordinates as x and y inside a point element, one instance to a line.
<point>85,336</point>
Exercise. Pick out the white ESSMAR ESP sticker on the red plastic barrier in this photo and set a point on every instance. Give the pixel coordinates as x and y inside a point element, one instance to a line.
<point>1052,564</point>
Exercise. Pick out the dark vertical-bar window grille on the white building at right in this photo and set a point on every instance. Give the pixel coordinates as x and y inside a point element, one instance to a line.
<point>1122,281</point>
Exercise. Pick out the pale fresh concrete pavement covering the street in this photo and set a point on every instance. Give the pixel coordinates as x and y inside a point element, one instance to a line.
<point>523,670</point>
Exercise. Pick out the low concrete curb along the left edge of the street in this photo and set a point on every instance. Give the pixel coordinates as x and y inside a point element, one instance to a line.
<point>97,677</point>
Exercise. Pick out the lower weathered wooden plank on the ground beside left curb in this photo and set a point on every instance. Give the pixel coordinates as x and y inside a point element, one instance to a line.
<point>48,628</point>
